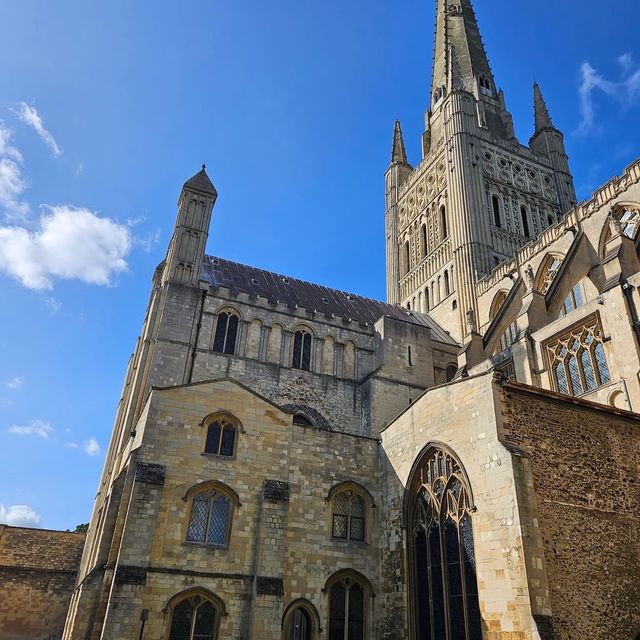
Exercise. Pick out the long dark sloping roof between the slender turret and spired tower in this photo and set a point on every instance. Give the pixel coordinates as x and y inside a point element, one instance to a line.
<point>277,287</point>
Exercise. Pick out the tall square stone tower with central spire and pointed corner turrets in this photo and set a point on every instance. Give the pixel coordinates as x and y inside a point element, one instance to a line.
<point>478,194</point>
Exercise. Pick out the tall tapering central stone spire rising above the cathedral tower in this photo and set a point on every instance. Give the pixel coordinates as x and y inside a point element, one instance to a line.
<point>457,27</point>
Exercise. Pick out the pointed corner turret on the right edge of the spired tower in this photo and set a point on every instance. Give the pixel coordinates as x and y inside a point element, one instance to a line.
<point>549,141</point>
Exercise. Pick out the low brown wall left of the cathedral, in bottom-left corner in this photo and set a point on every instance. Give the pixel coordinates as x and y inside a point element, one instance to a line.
<point>37,575</point>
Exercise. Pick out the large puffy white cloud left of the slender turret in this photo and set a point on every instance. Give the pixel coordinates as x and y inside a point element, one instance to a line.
<point>71,244</point>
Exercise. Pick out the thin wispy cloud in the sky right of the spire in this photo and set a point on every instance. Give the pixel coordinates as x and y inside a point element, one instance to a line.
<point>626,90</point>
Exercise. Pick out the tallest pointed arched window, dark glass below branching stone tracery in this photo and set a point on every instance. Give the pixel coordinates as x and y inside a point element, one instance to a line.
<point>443,584</point>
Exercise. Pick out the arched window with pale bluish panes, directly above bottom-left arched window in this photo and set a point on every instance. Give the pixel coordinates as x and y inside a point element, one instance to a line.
<point>210,518</point>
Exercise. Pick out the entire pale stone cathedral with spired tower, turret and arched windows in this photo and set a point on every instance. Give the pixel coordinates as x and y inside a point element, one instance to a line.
<point>293,462</point>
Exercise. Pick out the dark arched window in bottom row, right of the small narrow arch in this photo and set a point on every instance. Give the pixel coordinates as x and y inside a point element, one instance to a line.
<point>348,609</point>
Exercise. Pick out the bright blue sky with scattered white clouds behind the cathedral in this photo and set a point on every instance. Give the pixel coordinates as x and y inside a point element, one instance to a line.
<point>106,108</point>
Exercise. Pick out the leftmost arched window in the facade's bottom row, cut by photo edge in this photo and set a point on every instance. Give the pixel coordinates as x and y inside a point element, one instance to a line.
<point>195,616</point>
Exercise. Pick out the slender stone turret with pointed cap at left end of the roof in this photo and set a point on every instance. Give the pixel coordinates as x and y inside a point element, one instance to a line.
<point>186,249</point>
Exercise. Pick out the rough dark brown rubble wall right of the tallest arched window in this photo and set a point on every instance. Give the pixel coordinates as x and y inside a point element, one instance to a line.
<point>584,462</point>
